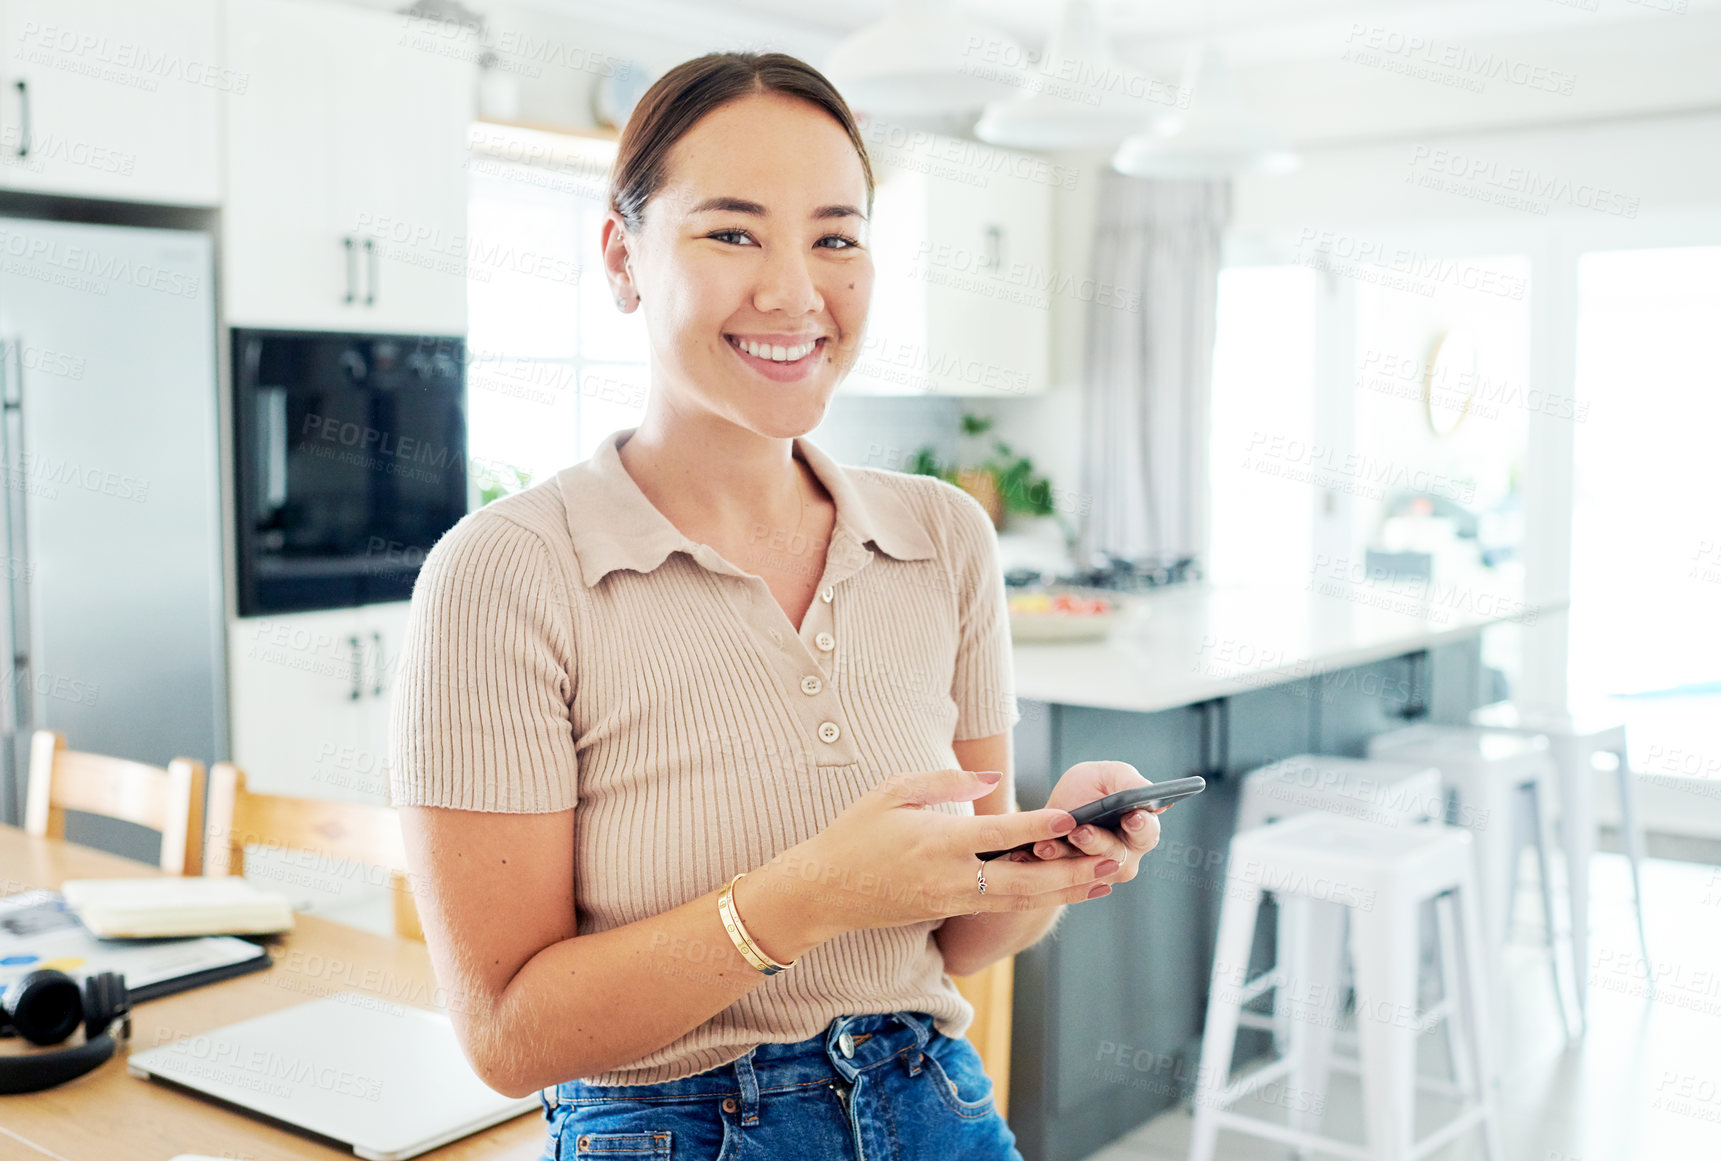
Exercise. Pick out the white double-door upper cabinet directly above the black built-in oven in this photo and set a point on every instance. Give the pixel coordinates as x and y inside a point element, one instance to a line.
<point>345,168</point>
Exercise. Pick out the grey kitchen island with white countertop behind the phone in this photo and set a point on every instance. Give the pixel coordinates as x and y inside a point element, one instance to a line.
<point>1214,682</point>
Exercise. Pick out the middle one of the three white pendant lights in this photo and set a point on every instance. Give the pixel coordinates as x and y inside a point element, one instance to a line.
<point>1080,99</point>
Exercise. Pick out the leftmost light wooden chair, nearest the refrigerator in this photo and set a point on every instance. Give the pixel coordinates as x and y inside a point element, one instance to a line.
<point>168,801</point>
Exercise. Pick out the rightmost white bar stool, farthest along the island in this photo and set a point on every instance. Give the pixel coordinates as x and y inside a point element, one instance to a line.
<point>1576,740</point>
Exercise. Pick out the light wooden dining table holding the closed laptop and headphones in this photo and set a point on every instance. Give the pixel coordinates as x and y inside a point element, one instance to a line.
<point>109,1115</point>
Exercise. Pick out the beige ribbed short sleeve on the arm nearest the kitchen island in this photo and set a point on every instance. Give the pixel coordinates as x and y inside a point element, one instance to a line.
<point>985,673</point>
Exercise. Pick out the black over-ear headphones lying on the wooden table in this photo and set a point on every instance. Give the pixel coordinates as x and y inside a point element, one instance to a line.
<point>44,1007</point>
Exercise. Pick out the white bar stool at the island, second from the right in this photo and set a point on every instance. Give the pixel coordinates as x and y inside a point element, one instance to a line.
<point>1490,775</point>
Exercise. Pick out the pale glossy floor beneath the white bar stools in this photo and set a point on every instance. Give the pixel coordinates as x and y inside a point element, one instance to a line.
<point>1641,1084</point>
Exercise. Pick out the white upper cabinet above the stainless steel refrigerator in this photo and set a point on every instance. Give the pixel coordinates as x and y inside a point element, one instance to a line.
<point>114,99</point>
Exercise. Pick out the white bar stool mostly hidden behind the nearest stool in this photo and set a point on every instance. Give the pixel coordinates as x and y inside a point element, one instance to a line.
<point>1391,794</point>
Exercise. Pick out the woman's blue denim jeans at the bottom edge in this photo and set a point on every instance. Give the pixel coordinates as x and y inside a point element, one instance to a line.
<point>870,1088</point>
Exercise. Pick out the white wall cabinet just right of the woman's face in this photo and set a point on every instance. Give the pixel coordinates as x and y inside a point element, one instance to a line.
<point>963,273</point>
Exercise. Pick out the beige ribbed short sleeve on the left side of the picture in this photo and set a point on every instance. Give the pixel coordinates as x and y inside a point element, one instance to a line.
<point>481,715</point>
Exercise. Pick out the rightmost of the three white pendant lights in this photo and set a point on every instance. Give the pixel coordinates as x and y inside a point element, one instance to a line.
<point>1218,137</point>
